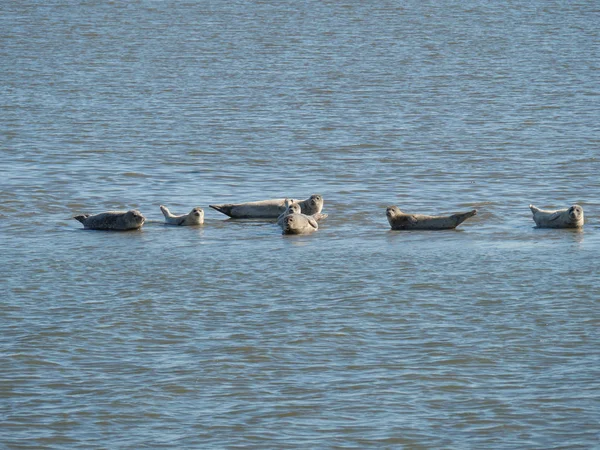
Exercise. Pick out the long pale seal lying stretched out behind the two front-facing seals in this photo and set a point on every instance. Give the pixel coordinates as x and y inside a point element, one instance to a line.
<point>269,209</point>
